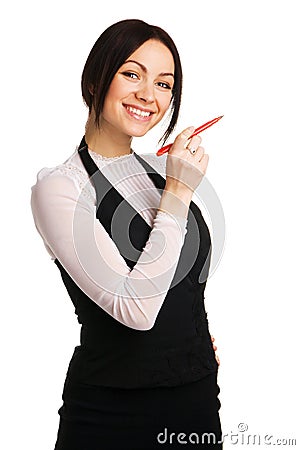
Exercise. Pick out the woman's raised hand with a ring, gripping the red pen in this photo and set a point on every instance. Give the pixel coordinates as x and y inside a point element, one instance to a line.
<point>184,170</point>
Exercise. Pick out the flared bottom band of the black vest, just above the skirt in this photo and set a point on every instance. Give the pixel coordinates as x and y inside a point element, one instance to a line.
<point>139,366</point>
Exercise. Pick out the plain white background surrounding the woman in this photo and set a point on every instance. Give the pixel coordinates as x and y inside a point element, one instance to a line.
<point>240,59</point>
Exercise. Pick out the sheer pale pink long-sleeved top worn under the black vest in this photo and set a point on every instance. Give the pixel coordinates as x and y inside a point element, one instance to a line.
<point>63,204</point>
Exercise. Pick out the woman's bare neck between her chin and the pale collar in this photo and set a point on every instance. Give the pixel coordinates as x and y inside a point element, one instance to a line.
<point>105,141</point>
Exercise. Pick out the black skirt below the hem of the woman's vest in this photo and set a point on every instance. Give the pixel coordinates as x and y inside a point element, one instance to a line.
<point>103,418</point>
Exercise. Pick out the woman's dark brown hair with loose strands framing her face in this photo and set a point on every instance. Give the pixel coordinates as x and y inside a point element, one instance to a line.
<point>109,53</point>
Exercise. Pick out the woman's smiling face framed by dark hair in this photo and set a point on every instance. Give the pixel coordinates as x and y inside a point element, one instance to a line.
<point>140,92</point>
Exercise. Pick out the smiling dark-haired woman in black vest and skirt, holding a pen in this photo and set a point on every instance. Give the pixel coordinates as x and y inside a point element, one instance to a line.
<point>133,251</point>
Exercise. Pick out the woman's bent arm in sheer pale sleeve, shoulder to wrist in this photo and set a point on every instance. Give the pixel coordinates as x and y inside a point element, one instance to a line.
<point>66,221</point>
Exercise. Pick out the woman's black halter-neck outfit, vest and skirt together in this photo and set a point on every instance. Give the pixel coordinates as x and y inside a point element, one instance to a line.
<point>131,389</point>
